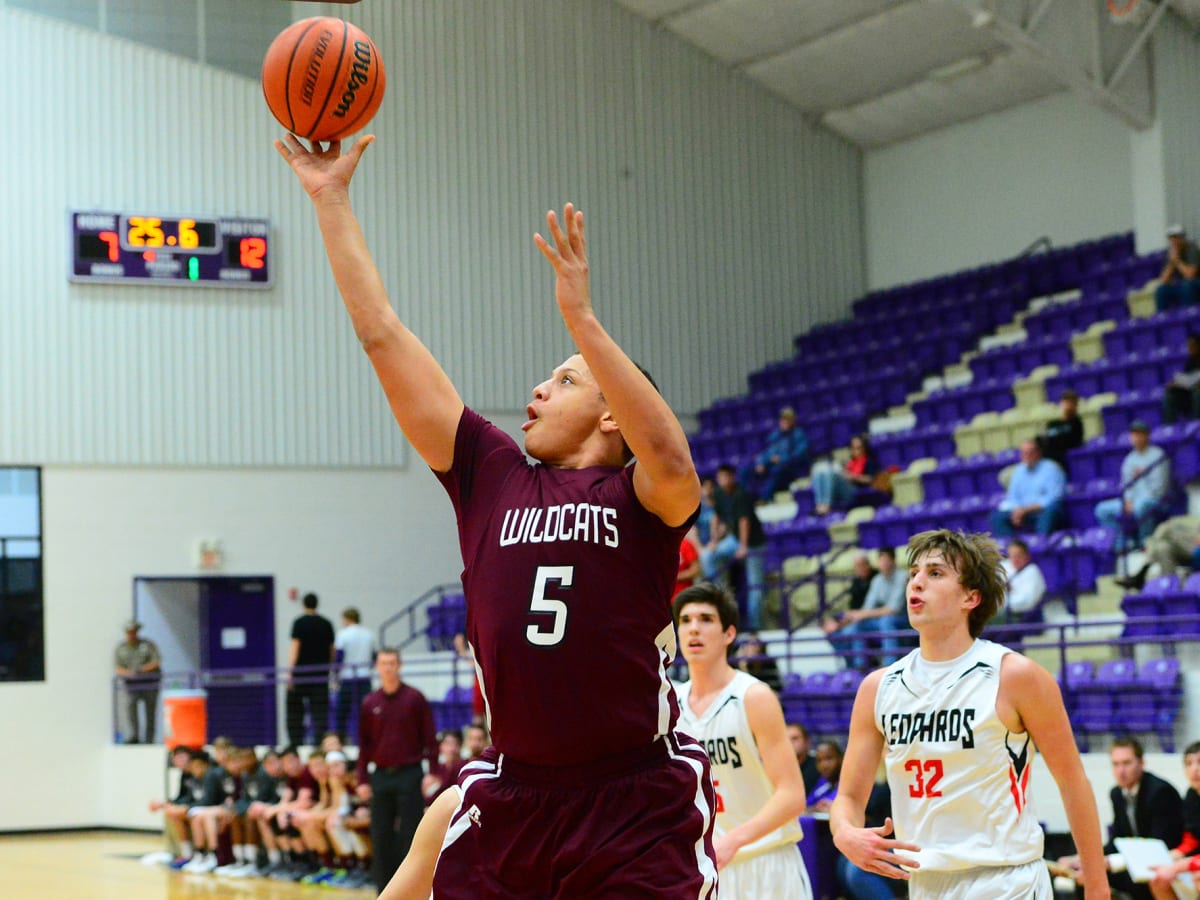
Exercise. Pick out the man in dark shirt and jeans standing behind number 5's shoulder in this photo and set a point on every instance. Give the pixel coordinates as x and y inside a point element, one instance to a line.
<point>742,541</point>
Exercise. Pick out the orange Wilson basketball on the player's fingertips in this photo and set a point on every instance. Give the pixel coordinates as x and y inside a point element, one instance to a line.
<point>323,79</point>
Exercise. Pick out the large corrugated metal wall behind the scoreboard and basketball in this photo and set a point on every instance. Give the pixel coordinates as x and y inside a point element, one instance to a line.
<point>721,225</point>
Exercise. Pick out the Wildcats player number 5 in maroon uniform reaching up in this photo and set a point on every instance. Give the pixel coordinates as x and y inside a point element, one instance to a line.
<point>569,567</point>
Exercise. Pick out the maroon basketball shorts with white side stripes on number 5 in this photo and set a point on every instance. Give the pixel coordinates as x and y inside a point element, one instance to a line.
<point>631,827</point>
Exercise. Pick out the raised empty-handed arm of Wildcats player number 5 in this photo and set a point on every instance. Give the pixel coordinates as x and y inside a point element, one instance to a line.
<point>665,478</point>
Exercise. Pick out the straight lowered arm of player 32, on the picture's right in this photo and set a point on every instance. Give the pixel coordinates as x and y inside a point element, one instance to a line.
<point>1039,704</point>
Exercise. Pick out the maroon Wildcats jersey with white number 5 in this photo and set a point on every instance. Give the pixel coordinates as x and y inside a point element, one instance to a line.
<point>568,583</point>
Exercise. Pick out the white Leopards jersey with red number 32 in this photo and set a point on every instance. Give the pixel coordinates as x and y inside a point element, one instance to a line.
<point>958,778</point>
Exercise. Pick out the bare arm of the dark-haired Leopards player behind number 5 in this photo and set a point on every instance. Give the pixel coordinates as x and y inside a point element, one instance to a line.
<point>766,718</point>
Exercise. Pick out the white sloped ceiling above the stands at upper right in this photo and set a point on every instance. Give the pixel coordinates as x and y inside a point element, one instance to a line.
<point>881,71</point>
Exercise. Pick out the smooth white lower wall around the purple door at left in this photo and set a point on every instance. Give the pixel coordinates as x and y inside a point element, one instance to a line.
<point>370,538</point>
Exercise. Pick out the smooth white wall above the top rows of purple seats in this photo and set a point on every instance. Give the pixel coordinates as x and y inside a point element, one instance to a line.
<point>985,190</point>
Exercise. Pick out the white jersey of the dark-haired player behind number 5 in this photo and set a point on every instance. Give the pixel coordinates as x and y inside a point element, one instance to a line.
<point>739,776</point>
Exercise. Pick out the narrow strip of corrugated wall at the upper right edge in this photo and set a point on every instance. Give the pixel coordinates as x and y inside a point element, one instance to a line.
<point>1178,106</point>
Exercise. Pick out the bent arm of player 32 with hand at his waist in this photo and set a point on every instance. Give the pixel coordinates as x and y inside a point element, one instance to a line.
<point>869,849</point>
